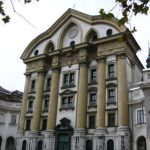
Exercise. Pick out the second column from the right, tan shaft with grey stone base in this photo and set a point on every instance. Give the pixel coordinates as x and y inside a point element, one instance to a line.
<point>99,137</point>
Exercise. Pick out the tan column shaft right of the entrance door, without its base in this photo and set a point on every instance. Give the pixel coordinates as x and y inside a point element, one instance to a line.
<point>82,97</point>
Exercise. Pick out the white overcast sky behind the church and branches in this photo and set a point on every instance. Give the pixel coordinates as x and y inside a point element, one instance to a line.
<point>39,16</point>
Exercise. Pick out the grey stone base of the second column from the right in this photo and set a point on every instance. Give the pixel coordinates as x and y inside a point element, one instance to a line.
<point>99,139</point>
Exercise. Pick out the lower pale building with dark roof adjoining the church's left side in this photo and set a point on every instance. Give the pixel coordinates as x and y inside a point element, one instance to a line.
<point>10,104</point>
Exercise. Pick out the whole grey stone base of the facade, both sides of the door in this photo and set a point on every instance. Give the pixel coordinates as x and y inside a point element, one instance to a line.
<point>120,137</point>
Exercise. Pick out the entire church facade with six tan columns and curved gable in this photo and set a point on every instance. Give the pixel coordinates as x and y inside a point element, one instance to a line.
<point>76,92</point>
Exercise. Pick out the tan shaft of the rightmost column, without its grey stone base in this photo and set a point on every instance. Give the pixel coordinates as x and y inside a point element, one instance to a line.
<point>122,91</point>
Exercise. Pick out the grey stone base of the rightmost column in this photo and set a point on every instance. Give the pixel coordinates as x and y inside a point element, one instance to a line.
<point>123,141</point>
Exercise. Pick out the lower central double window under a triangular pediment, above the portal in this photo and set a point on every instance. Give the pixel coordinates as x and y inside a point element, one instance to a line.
<point>67,102</point>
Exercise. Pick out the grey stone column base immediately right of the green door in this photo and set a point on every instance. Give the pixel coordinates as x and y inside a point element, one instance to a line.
<point>79,140</point>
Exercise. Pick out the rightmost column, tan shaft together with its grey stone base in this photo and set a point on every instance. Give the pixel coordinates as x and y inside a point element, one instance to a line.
<point>123,132</point>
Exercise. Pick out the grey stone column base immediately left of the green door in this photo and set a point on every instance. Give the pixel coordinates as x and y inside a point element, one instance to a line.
<point>49,140</point>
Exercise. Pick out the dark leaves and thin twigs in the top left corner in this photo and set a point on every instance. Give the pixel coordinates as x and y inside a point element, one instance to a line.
<point>5,17</point>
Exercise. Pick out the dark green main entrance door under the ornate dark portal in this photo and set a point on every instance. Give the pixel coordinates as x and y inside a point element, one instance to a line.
<point>63,142</point>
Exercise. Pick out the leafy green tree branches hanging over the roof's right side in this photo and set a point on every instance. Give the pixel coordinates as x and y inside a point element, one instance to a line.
<point>128,9</point>
